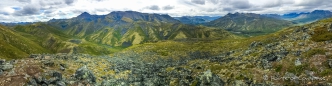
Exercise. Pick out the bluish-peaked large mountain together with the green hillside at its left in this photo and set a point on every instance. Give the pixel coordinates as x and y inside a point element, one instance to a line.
<point>103,34</point>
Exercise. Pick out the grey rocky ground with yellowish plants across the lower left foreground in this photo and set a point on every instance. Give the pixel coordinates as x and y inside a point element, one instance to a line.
<point>80,69</point>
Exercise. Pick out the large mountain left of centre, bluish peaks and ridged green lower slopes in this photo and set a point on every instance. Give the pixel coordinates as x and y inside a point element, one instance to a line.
<point>129,28</point>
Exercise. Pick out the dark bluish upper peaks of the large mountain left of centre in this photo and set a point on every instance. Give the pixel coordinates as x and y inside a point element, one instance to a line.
<point>85,23</point>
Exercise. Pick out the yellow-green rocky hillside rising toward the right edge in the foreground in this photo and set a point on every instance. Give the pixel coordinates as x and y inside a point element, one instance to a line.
<point>294,50</point>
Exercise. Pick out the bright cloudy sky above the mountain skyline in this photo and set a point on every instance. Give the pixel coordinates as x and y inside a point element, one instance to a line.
<point>44,10</point>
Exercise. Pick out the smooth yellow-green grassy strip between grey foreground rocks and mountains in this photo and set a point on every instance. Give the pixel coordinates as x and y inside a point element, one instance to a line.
<point>213,46</point>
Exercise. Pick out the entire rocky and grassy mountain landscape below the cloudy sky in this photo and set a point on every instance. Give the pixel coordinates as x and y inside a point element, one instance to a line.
<point>128,48</point>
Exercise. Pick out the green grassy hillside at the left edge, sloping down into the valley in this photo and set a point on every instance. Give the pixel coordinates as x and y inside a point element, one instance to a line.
<point>39,38</point>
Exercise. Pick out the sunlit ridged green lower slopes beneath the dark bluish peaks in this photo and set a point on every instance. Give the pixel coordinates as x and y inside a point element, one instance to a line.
<point>141,32</point>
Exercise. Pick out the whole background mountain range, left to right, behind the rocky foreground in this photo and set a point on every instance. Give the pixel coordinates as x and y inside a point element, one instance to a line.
<point>122,29</point>
